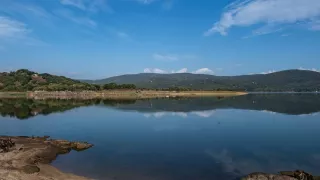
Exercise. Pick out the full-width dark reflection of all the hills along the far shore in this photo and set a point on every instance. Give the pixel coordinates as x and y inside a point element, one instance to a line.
<point>294,104</point>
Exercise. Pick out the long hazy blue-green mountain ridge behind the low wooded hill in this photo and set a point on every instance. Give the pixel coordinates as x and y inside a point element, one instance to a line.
<point>289,80</point>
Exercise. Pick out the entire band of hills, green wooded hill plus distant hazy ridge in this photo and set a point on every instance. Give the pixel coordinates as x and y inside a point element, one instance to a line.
<point>288,80</point>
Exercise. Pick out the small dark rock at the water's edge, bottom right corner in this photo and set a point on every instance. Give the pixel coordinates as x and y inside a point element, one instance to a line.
<point>284,175</point>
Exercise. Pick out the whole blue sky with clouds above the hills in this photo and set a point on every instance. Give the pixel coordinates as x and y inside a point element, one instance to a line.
<point>100,38</point>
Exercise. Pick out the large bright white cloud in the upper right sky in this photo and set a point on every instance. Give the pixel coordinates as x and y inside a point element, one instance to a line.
<point>271,13</point>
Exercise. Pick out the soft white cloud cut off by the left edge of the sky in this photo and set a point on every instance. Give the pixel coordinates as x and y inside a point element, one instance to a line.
<point>10,28</point>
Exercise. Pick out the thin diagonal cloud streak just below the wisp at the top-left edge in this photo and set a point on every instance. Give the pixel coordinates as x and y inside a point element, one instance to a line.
<point>69,15</point>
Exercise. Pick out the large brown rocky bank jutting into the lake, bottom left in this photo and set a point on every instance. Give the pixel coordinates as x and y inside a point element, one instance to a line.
<point>28,158</point>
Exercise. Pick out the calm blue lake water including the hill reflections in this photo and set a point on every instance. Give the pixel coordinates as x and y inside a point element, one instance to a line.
<point>176,139</point>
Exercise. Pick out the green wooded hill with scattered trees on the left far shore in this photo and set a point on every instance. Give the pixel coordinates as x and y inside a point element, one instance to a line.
<point>25,80</point>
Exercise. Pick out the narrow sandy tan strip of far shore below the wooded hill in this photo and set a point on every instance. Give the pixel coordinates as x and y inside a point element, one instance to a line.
<point>118,94</point>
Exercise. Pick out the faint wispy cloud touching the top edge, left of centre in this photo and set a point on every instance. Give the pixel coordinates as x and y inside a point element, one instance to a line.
<point>88,5</point>
